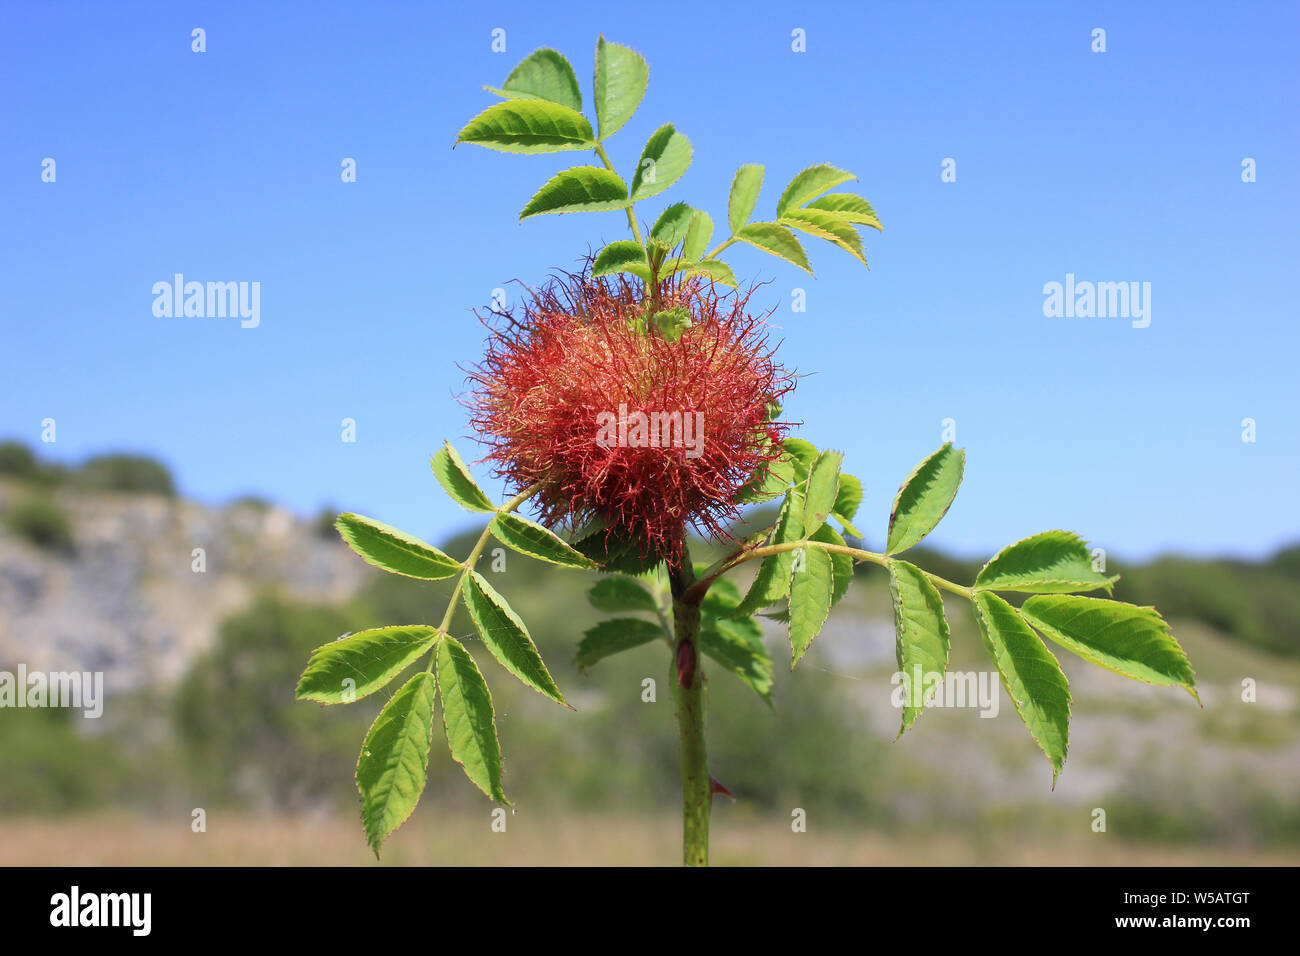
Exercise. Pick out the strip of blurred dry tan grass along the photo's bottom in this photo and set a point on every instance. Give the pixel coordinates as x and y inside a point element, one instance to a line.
<point>535,841</point>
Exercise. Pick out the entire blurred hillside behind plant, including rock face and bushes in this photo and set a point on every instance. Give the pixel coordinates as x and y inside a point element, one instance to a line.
<point>98,573</point>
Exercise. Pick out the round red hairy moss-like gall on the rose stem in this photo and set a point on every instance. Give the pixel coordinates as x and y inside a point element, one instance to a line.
<point>647,426</point>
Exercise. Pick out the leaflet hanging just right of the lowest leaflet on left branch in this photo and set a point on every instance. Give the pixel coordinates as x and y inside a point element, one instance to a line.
<point>467,719</point>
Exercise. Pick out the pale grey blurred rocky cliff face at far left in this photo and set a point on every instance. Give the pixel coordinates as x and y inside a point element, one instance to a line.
<point>150,581</point>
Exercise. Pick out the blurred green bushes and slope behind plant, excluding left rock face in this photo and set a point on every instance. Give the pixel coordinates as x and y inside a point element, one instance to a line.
<point>229,737</point>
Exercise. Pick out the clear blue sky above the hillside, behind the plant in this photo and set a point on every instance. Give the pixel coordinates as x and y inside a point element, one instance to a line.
<point>224,166</point>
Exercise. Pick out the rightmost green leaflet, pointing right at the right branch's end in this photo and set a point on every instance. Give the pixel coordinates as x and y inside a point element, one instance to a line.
<point>1134,642</point>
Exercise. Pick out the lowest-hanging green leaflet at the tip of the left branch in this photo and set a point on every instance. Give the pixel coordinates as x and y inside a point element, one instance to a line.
<point>391,773</point>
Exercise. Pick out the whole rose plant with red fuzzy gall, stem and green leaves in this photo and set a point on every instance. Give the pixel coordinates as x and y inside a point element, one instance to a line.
<point>642,400</point>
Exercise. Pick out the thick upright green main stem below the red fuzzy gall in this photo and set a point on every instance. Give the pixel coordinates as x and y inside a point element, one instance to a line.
<point>690,699</point>
